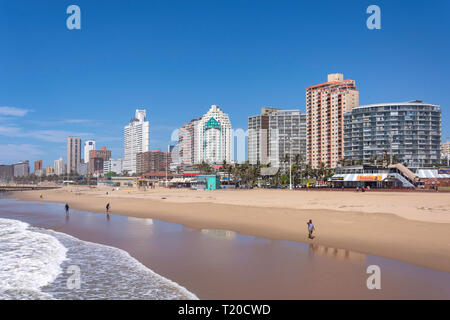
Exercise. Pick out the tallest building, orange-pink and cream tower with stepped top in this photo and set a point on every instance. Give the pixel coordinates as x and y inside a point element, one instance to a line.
<point>326,104</point>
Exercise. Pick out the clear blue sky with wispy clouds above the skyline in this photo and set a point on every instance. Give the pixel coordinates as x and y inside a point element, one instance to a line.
<point>176,58</point>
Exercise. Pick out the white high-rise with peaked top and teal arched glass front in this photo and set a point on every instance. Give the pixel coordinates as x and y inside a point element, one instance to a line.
<point>213,137</point>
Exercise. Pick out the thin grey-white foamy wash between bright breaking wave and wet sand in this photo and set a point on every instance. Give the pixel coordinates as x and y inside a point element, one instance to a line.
<point>111,273</point>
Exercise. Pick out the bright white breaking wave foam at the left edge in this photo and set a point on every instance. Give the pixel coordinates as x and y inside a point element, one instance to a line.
<point>28,261</point>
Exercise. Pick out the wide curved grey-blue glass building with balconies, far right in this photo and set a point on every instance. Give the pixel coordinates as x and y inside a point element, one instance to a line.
<point>412,130</point>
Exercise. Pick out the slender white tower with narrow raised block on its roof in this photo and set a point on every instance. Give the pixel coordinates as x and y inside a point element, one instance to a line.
<point>136,139</point>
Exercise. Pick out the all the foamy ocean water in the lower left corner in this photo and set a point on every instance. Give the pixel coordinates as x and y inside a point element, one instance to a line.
<point>37,263</point>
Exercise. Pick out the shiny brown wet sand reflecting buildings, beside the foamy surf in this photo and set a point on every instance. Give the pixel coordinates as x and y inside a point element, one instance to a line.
<point>217,264</point>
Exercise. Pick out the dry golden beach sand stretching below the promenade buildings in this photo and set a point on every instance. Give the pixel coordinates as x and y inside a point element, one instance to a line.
<point>410,227</point>
